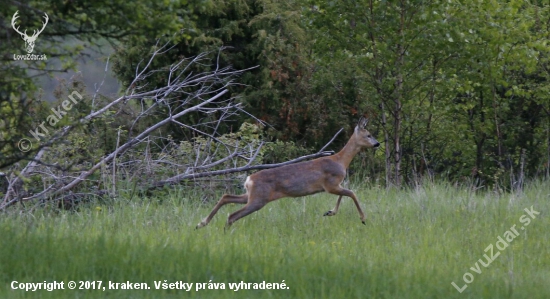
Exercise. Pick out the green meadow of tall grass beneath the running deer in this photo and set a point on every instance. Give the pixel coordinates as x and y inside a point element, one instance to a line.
<point>415,245</point>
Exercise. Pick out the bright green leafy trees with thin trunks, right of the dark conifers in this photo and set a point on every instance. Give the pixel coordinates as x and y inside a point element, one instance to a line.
<point>450,83</point>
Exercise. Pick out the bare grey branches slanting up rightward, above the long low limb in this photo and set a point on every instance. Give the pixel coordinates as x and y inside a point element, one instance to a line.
<point>184,92</point>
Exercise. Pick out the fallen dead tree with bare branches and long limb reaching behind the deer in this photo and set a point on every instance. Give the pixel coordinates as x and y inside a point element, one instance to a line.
<point>212,154</point>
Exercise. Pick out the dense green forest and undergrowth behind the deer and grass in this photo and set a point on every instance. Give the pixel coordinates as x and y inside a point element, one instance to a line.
<point>455,90</point>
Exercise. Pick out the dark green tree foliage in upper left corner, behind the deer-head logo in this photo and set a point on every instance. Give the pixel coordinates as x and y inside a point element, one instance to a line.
<point>73,26</point>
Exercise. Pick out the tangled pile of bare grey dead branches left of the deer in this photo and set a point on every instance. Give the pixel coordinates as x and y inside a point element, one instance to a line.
<point>184,92</point>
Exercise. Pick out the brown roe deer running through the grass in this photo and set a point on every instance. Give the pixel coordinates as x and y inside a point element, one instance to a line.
<point>300,179</point>
